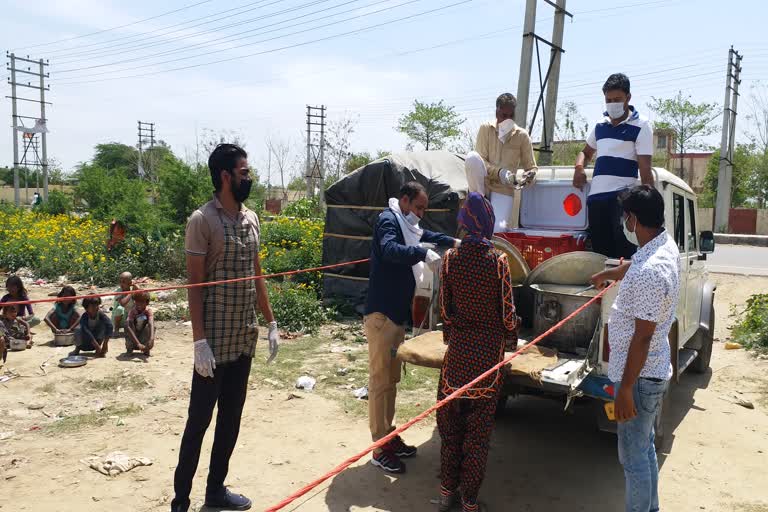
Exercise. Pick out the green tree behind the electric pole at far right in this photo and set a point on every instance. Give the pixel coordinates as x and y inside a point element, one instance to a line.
<point>744,163</point>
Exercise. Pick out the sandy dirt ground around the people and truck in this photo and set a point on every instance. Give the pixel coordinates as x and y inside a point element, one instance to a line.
<point>541,459</point>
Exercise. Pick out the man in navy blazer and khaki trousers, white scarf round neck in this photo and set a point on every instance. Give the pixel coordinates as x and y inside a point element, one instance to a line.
<point>394,252</point>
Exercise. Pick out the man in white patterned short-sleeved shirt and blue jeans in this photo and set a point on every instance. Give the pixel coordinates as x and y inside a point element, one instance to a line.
<point>641,318</point>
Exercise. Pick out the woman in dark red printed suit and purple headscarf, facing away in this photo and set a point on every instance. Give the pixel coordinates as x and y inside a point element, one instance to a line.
<point>479,315</point>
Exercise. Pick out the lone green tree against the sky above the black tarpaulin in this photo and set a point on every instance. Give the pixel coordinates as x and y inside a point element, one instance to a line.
<point>431,124</point>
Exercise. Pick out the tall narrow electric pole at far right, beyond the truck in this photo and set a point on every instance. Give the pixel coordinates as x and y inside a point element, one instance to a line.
<point>727,142</point>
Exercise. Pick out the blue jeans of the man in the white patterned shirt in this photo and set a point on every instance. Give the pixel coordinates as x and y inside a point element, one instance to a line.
<point>637,452</point>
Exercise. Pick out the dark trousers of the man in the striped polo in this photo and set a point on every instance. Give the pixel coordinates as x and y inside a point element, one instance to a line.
<point>605,228</point>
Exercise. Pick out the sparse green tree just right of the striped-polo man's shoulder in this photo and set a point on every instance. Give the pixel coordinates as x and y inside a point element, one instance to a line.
<point>689,121</point>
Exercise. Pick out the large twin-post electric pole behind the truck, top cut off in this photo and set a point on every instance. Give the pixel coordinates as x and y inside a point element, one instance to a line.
<point>548,81</point>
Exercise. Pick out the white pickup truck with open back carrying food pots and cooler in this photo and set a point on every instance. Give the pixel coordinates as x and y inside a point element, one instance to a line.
<point>552,212</point>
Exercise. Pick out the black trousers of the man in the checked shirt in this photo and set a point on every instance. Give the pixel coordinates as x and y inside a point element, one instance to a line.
<point>228,387</point>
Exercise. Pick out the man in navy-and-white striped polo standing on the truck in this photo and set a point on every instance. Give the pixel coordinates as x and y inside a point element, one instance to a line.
<point>623,141</point>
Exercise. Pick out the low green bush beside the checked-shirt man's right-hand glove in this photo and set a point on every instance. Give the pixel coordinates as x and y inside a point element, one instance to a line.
<point>296,307</point>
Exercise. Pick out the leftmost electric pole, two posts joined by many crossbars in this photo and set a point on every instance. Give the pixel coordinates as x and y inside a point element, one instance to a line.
<point>40,121</point>
